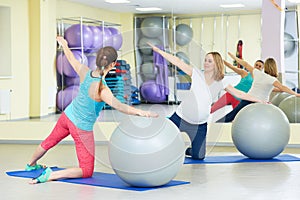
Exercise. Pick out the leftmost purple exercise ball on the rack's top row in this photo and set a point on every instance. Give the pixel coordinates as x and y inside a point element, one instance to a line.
<point>73,36</point>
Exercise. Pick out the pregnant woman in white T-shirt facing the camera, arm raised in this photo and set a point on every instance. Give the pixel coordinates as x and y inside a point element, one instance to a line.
<point>193,112</point>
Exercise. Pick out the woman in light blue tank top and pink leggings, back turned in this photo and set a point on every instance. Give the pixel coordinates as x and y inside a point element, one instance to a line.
<point>79,117</point>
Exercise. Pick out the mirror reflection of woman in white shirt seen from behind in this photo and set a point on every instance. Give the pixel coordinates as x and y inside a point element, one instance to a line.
<point>263,84</point>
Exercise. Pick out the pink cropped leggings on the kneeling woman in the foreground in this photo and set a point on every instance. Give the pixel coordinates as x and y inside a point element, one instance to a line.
<point>84,143</point>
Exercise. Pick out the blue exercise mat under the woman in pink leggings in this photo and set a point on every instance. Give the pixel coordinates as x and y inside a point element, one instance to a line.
<point>99,179</point>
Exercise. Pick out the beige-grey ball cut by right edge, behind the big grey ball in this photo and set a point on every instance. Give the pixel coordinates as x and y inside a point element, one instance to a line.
<point>291,107</point>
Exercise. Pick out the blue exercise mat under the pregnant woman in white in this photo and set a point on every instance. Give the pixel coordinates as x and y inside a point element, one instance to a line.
<point>239,159</point>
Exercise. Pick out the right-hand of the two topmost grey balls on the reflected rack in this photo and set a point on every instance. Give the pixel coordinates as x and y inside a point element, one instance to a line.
<point>184,34</point>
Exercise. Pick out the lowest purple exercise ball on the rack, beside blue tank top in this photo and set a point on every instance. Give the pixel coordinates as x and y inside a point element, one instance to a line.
<point>65,96</point>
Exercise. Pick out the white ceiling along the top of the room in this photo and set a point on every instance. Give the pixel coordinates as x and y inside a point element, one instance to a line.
<point>178,6</point>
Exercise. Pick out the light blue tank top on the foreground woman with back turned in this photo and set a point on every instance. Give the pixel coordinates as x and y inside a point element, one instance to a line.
<point>84,111</point>
